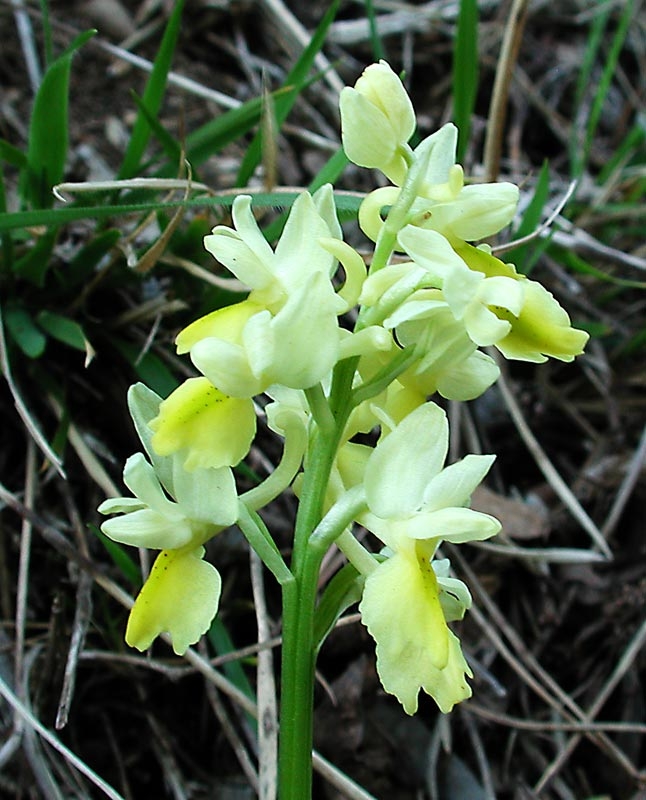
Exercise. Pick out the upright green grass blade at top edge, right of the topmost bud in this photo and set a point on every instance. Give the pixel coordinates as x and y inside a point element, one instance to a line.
<point>465,72</point>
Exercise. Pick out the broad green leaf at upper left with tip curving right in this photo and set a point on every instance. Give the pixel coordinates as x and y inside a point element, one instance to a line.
<point>48,130</point>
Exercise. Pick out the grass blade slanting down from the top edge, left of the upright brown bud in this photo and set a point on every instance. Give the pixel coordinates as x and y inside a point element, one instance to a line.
<point>153,95</point>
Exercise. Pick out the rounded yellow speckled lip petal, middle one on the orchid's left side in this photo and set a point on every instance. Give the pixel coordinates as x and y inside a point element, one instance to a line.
<point>213,429</point>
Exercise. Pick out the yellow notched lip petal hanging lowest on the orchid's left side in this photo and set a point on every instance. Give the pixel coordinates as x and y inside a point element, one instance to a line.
<point>180,598</point>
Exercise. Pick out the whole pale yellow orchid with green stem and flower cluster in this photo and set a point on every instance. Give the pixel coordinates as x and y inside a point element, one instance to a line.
<point>427,303</point>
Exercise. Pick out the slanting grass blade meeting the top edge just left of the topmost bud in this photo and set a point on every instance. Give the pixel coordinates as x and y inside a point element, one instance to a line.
<point>294,81</point>
